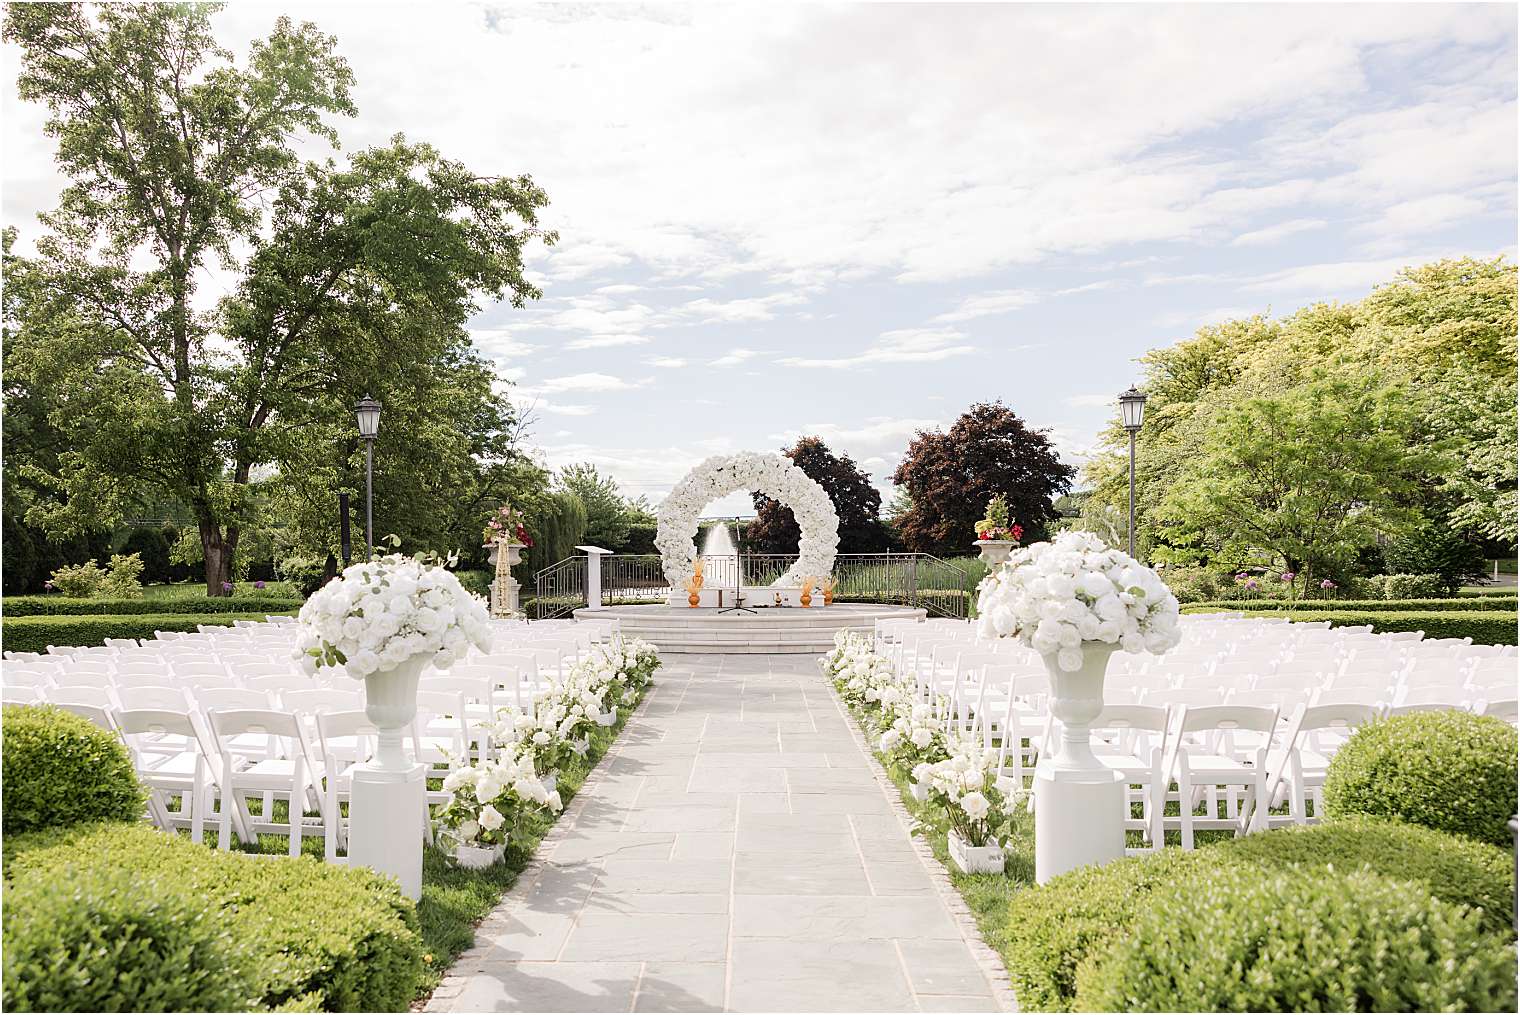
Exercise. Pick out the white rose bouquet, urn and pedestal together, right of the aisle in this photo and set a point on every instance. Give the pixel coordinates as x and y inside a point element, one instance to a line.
<point>1077,602</point>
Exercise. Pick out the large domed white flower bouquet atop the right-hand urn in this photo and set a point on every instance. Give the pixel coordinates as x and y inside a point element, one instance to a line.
<point>1054,596</point>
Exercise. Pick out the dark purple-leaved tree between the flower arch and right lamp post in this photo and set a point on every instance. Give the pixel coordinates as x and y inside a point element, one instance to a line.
<point>952,475</point>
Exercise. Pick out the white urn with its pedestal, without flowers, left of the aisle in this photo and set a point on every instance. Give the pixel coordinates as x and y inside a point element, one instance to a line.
<point>388,808</point>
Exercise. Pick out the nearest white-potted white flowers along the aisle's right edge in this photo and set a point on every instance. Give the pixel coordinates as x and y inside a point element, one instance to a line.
<point>980,817</point>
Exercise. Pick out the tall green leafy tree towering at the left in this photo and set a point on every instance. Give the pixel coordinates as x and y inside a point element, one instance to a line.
<point>358,279</point>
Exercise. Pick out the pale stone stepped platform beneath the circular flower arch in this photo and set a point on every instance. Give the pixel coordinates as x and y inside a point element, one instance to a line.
<point>767,631</point>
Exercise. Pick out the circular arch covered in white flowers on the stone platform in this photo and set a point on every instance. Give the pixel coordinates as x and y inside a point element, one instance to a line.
<point>774,476</point>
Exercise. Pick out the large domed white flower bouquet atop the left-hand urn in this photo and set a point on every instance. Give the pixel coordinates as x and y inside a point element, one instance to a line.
<point>387,612</point>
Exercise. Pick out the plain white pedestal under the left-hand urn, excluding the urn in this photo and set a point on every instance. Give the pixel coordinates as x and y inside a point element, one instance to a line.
<point>385,824</point>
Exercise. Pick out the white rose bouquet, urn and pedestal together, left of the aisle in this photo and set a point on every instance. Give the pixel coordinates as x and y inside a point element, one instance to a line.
<point>384,622</point>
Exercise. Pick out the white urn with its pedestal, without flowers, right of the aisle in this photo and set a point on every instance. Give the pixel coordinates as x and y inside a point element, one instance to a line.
<point>1078,800</point>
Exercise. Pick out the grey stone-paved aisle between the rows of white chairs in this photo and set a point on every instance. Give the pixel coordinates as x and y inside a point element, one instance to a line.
<point>736,852</point>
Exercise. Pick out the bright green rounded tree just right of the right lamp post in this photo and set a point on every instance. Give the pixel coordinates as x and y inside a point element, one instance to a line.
<point>1300,481</point>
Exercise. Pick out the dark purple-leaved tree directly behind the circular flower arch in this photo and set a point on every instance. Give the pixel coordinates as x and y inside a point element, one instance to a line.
<point>857,502</point>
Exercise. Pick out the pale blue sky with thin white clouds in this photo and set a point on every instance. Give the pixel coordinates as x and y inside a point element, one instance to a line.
<point>857,221</point>
